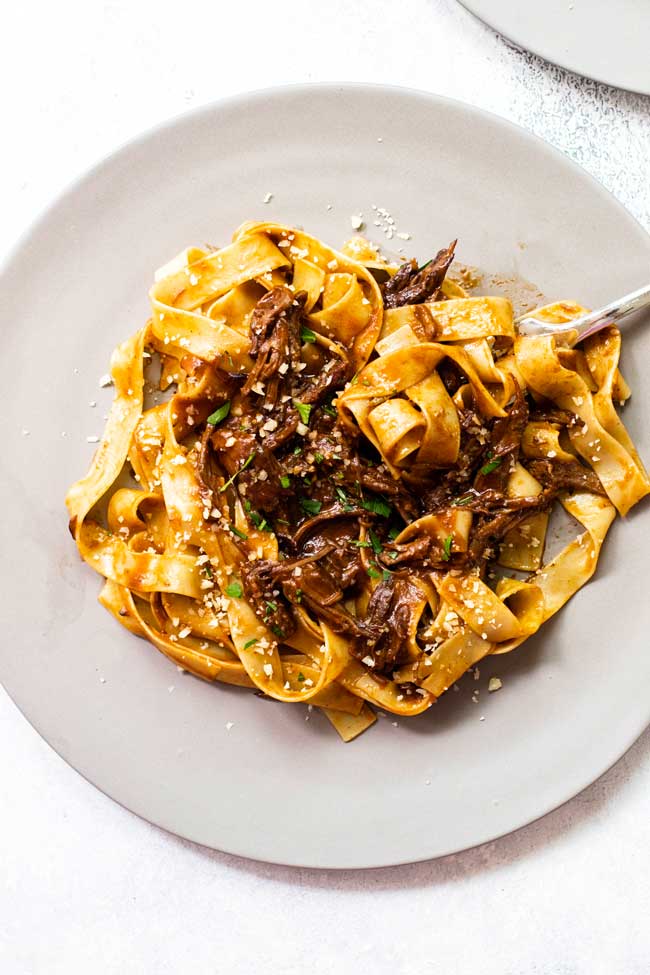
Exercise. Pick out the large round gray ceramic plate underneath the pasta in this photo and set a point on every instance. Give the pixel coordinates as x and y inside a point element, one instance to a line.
<point>274,786</point>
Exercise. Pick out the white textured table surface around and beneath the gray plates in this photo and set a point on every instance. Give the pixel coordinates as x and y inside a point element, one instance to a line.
<point>84,885</point>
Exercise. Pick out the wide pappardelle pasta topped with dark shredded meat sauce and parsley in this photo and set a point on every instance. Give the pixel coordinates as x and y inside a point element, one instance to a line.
<point>352,460</point>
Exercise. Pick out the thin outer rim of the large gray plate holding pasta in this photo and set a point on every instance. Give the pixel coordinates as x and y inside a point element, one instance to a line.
<point>243,98</point>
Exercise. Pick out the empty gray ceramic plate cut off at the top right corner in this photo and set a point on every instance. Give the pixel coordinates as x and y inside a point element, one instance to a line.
<point>597,38</point>
